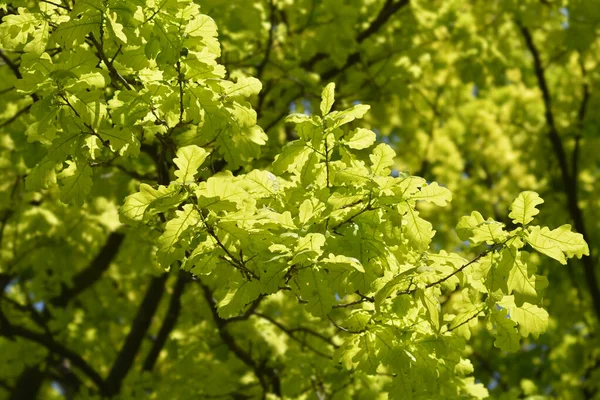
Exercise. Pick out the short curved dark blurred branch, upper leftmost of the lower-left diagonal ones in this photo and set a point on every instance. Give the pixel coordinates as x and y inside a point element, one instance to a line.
<point>88,276</point>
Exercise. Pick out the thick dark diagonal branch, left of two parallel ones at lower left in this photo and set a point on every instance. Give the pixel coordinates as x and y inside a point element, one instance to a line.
<point>134,339</point>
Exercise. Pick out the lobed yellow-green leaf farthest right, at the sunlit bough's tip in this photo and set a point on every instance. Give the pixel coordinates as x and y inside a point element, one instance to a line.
<point>559,243</point>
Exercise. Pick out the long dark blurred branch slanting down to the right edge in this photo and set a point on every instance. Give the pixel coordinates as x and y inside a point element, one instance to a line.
<point>569,182</point>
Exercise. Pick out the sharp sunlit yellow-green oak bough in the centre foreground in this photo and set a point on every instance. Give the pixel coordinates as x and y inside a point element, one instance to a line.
<point>328,225</point>
